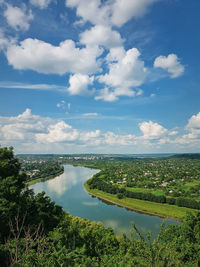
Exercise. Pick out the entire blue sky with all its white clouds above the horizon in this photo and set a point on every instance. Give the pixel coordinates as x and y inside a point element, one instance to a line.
<point>97,76</point>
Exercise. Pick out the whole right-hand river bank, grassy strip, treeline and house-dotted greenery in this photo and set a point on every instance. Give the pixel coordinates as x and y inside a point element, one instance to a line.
<point>172,182</point>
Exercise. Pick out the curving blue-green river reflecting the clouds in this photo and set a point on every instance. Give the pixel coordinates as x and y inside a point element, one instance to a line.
<point>67,190</point>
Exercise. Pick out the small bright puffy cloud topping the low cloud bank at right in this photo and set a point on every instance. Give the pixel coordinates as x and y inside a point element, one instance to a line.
<point>152,130</point>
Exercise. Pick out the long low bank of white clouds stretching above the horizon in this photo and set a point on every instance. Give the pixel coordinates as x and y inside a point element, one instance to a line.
<point>28,133</point>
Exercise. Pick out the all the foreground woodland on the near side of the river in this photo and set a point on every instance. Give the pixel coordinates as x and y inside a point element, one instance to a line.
<point>36,232</point>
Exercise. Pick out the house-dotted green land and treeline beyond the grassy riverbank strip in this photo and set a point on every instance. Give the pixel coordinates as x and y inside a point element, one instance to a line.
<point>151,181</point>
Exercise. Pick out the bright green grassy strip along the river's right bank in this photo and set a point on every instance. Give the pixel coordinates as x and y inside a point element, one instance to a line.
<point>162,210</point>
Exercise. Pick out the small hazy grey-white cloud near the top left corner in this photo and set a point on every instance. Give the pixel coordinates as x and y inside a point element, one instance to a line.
<point>18,18</point>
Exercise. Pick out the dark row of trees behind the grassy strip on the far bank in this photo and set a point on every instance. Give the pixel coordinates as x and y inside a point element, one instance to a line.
<point>98,183</point>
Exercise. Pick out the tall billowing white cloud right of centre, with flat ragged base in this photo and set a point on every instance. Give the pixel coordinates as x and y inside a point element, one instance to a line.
<point>126,71</point>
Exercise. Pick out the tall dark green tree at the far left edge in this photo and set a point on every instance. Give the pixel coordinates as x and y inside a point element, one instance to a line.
<point>12,186</point>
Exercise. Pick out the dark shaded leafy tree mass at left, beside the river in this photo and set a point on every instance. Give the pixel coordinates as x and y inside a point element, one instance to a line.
<point>16,200</point>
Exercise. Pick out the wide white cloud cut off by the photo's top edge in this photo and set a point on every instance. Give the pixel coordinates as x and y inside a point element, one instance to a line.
<point>115,12</point>
